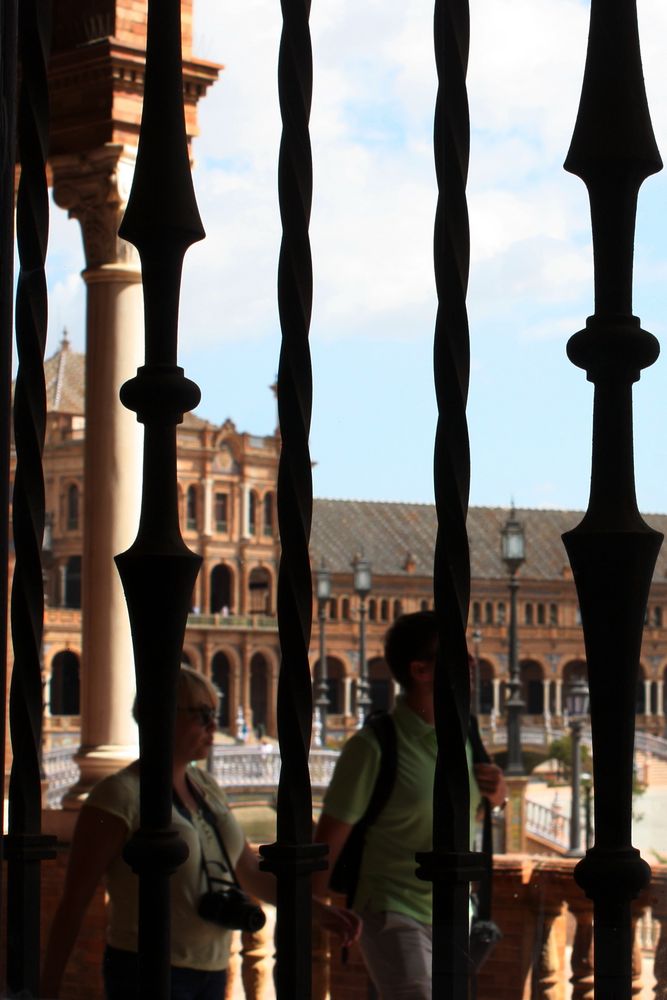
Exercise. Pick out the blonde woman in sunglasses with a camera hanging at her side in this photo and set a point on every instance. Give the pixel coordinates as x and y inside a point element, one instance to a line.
<point>205,897</point>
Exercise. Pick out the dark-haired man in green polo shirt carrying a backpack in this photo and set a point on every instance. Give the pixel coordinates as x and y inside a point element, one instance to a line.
<point>394,904</point>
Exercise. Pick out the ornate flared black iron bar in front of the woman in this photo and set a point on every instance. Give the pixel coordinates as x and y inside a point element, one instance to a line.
<point>158,571</point>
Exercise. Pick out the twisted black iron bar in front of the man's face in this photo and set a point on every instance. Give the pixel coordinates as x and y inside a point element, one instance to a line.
<point>451,865</point>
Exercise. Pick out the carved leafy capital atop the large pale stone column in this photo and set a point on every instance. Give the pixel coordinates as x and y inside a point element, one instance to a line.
<point>94,188</point>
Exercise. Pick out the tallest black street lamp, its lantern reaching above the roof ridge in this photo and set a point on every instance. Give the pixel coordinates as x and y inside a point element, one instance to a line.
<point>513,551</point>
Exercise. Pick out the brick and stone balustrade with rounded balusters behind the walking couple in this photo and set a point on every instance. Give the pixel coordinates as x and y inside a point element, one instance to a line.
<point>546,952</point>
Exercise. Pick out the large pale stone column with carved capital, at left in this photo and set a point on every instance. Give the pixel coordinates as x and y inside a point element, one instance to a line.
<point>94,189</point>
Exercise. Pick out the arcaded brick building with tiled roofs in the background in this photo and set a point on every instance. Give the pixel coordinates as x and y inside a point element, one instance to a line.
<point>227,497</point>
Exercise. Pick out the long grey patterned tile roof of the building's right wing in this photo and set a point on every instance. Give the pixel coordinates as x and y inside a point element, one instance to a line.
<point>389,533</point>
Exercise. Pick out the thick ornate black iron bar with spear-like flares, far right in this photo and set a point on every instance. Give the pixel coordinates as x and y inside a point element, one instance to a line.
<point>613,551</point>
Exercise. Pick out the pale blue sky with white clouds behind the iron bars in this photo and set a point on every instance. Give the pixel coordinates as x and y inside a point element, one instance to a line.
<point>374,199</point>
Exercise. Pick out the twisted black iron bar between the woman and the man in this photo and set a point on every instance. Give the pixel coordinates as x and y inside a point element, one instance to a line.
<point>293,857</point>
